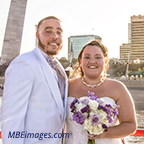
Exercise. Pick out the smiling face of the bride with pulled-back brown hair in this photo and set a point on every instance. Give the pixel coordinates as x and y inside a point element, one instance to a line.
<point>93,61</point>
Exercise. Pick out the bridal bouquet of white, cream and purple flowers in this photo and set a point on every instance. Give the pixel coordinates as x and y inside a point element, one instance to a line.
<point>93,113</point>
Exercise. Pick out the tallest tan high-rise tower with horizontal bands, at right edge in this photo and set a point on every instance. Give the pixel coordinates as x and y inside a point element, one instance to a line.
<point>137,38</point>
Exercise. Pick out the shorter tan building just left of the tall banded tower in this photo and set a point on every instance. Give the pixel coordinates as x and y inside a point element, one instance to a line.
<point>125,52</point>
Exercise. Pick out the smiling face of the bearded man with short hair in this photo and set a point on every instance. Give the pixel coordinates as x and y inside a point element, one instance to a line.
<point>49,36</point>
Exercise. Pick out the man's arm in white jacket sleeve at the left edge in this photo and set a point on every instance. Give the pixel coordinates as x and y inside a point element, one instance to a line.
<point>17,88</point>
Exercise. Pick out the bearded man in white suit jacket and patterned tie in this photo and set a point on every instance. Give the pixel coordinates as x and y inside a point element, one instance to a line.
<point>35,91</point>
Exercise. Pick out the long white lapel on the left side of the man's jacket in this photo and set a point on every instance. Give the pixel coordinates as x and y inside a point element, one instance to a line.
<point>50,79</point>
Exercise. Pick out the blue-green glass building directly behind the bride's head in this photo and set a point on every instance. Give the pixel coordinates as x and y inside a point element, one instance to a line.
<point>76,43</point>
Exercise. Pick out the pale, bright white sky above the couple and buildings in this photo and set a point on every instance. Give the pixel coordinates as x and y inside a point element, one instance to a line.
<point>106,18</point>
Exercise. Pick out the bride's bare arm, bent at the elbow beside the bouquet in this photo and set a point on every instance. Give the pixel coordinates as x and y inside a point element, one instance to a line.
<point>127,118</point>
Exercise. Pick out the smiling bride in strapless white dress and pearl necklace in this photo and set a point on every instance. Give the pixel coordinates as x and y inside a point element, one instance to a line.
<point>93,63</point>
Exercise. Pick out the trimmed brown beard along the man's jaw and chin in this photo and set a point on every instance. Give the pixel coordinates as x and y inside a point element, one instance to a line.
<point>47,51</point>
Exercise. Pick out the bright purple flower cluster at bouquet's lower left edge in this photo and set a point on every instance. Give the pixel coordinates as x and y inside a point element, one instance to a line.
<point>79,118</point>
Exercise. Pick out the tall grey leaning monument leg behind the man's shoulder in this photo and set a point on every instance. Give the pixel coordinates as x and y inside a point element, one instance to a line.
<point>13,33</point>
